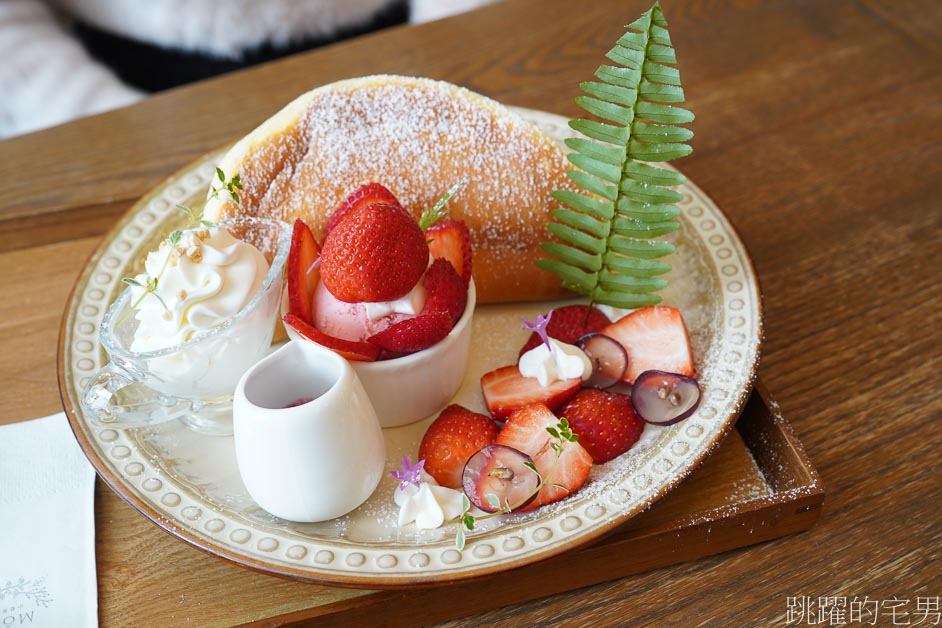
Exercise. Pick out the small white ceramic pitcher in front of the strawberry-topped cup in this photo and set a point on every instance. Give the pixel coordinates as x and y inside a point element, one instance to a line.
<point>308,443</point>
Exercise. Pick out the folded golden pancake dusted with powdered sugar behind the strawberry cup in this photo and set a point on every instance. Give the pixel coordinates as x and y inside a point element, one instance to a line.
<point>417,137</point>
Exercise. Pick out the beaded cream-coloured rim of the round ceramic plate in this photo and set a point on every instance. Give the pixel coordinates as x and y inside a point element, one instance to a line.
<point>565,526</point>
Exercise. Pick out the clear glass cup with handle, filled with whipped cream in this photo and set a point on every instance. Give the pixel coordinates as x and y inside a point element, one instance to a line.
<point>178,351</point>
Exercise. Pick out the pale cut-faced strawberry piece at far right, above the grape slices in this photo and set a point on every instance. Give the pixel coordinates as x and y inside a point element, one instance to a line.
<point>655,337</point>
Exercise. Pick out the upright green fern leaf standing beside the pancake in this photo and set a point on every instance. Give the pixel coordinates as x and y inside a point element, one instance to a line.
<point>607,238</point>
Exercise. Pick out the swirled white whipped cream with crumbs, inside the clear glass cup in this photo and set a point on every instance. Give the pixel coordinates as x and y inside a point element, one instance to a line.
<point>203,281</point>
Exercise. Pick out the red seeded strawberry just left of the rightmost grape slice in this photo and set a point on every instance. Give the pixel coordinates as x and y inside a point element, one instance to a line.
<point>606,422</point>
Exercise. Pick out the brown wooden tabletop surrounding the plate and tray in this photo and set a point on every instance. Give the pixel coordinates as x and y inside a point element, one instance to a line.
<point>818,132</point>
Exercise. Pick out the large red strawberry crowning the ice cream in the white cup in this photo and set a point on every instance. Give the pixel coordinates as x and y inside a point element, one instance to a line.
<point>377,253</point>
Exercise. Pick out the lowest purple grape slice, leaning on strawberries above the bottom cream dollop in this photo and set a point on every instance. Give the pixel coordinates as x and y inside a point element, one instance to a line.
<point>500,472</point>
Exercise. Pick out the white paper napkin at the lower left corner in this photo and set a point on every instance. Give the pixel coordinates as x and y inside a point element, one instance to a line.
<point>47,527</point>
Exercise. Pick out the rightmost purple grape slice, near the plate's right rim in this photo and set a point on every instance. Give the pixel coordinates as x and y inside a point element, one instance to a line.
<point>662,398</point>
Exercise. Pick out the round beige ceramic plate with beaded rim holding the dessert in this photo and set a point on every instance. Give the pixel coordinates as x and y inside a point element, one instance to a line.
<point>189,483</point>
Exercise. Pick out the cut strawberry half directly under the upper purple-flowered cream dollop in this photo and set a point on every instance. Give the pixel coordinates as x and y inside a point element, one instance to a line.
<point>505,390</point>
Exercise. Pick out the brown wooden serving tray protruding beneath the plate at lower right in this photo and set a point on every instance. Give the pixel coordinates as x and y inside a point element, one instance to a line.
<point>758,485</point>
